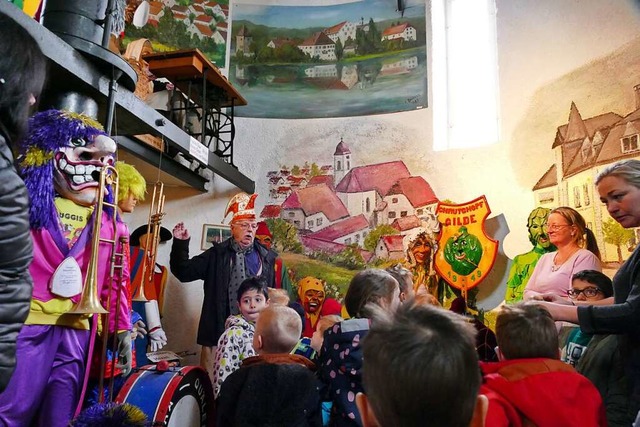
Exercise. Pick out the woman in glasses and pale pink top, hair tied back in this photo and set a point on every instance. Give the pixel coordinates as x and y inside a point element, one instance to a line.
<point>577,251</point>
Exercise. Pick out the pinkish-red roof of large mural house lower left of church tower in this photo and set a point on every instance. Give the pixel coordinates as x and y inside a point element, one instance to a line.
<point>318,198</point>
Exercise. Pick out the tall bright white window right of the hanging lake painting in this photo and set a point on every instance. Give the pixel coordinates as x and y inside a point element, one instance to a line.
<point>465,74</point>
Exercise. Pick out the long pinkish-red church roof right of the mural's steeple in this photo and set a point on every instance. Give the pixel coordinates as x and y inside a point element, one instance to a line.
<point>380,177</point>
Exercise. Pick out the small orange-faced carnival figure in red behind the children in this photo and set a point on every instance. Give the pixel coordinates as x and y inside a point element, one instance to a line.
<point>313,299</point>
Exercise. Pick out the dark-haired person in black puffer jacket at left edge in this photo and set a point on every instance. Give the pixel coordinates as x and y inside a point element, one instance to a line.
<point>22,74</point>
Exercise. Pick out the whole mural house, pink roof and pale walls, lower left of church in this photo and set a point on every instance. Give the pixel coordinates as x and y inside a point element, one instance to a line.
<point>313,208</point>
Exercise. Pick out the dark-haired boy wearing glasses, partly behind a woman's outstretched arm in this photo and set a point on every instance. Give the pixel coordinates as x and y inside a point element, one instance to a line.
<point>597,357</point>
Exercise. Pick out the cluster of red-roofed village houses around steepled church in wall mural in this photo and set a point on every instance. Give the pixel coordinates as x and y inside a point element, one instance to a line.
<point>333,211</point>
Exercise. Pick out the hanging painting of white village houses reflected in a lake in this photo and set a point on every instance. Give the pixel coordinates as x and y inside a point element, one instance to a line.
<point>299,62</point>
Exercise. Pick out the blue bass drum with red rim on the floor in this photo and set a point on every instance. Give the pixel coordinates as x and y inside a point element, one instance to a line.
<point>177,397</point>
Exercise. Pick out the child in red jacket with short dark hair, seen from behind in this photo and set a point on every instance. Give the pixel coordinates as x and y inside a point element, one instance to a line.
<point>530,385</point>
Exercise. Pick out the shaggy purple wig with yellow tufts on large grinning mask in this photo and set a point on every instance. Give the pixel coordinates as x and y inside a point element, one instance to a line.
<point>49,131</point>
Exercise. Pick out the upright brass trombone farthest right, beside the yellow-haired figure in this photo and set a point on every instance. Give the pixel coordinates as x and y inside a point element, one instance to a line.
<point>156,213</point>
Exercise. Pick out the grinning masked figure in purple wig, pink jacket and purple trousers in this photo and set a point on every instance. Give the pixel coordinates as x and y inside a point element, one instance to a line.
<point>53,346</point>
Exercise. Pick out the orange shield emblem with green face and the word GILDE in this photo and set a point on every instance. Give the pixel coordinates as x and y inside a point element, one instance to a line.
<point>465,254</point>
